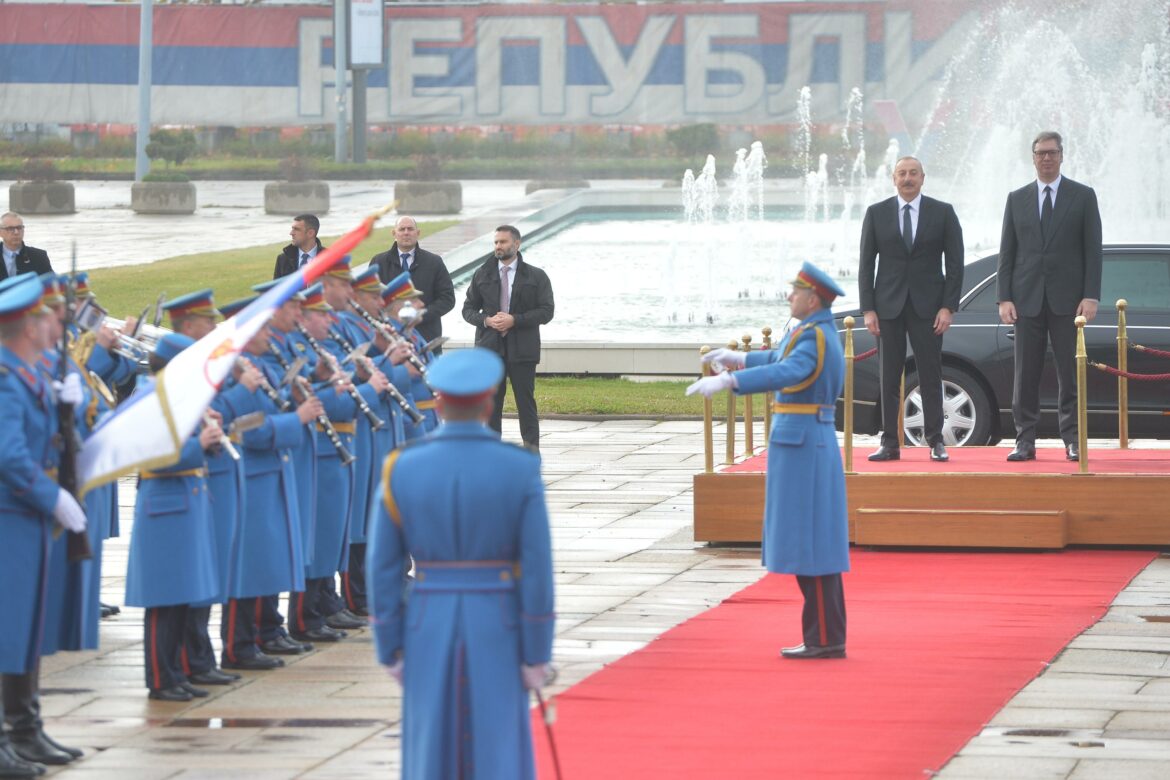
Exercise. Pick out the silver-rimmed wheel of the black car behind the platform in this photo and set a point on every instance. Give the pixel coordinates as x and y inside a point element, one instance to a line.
<point>967,411</point>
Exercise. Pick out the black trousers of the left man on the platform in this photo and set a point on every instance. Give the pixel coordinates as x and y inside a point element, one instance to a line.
<point>927,348</point>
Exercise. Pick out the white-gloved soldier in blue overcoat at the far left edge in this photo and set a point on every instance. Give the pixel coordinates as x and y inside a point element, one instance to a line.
<point>31,506</point>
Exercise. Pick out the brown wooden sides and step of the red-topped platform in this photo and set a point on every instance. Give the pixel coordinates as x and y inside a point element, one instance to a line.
<point>962,510</point>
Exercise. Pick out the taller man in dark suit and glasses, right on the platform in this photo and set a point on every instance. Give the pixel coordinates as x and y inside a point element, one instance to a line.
<point>1050,274</point>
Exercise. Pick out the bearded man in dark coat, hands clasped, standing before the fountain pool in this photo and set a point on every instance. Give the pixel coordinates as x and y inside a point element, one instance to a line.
<point>508,301</point>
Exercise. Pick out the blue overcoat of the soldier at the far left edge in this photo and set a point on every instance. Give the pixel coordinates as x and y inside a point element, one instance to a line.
<point>29,495</point>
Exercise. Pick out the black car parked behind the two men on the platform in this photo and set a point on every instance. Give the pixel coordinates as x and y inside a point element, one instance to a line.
<point>978,358</point>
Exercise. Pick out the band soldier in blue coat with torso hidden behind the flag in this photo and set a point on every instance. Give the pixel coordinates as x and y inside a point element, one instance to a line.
<point>173,550</point>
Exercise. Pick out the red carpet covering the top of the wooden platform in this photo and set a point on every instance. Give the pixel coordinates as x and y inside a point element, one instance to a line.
<point>992,460</point>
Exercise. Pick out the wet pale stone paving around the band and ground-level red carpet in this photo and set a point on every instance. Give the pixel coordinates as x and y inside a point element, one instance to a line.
<point>628,570</point>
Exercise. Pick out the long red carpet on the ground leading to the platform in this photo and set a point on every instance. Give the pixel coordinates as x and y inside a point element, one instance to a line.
<point>939,643</point>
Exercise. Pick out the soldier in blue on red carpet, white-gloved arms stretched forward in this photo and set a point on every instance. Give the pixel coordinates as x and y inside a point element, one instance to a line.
<point>806,520</point>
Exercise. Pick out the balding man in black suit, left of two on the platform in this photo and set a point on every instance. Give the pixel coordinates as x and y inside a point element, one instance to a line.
<point>914,293</point>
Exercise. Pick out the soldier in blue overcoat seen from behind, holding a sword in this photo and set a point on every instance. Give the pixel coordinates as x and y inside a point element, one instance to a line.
<point>474,630</point>
